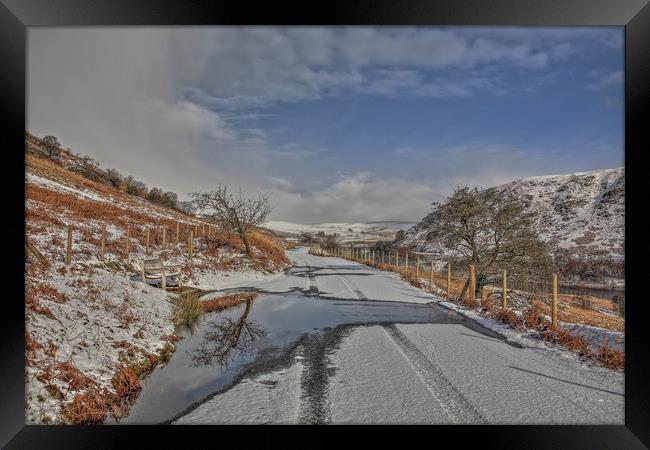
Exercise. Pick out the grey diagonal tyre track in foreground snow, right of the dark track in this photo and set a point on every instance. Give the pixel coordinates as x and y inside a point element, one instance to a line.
<point>446,395</point>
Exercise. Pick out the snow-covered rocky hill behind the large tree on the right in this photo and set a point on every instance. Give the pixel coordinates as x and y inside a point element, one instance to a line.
<point>583,211</point>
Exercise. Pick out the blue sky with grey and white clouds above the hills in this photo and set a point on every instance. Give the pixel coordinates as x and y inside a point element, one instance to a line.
<point>339,124</point>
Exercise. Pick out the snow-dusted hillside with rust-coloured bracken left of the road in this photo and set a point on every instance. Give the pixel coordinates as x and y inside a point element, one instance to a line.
<point>92,326</point>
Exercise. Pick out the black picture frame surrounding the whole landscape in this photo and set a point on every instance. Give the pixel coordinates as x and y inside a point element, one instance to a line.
<point>16,15</point>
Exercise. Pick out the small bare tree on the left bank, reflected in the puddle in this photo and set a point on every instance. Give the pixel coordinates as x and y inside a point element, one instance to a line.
<point>235,212</point>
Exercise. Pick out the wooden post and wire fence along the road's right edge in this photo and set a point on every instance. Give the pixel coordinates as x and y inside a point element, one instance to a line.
<point>461,283</point>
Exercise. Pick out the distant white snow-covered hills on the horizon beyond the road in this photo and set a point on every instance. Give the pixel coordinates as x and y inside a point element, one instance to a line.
<point>349,232</point>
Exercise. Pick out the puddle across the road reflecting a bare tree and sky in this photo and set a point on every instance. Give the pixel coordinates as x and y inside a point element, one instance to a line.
<point>223,342</point>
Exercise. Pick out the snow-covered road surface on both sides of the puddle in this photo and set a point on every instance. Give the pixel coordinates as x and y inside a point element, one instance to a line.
<point>444,372</point>
